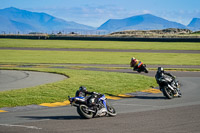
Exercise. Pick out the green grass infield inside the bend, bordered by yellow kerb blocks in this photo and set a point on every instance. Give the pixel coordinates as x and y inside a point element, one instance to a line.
<point>103,82</point>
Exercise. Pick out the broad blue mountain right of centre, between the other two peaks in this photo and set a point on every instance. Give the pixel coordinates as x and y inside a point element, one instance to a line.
<point>140,22</point>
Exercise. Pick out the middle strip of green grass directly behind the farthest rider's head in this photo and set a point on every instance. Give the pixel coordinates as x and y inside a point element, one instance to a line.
<point>26,56</point>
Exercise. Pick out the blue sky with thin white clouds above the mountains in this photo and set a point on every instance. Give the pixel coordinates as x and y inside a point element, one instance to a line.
<point>96,12</point>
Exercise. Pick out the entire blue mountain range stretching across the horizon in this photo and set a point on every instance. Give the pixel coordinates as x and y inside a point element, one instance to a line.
<point>13,20</point>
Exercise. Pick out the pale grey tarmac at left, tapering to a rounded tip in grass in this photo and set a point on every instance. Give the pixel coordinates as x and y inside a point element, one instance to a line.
<point>21,79</point>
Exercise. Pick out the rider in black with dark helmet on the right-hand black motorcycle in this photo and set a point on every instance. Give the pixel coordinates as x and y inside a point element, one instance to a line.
<point>160,73</point>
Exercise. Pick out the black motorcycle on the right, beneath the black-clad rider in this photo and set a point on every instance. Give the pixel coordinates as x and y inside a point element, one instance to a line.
<point>169,86</point>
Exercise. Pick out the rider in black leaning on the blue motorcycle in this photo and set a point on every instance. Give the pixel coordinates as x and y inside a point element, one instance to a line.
<point>92,100</point>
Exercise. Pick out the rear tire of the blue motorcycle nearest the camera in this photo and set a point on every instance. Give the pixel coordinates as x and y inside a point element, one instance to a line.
<point>82,111</point>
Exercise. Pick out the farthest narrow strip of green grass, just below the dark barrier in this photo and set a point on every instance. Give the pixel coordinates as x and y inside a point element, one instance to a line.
<point>100,44</point>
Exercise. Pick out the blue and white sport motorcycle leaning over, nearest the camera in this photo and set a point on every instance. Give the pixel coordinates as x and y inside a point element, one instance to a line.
<point>85,111</point>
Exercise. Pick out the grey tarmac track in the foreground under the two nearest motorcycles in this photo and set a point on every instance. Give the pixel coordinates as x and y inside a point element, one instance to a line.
<point>145,113</point>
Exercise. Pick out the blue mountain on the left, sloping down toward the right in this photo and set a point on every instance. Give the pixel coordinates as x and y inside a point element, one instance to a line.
<point>14,20</point>
